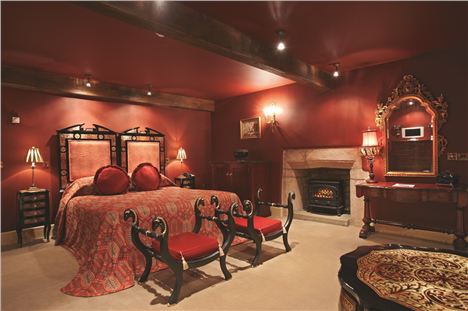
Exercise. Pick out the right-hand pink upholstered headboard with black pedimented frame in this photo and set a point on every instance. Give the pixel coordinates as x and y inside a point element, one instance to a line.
<point>142,146</point>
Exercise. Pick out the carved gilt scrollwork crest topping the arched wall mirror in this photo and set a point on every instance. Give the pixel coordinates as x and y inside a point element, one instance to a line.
<point>409,85</point>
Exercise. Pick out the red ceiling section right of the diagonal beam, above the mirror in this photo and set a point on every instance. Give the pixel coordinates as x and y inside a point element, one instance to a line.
<point>356,34</point>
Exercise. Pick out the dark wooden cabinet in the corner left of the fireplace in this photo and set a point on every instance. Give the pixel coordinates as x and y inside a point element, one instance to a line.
<point>242,178</point>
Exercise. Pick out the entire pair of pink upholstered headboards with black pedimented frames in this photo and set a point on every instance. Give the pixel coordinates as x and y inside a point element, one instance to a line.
<point>83,150</point>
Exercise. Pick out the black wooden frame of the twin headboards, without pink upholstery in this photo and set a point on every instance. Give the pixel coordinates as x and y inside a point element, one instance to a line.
<point>118,145</point>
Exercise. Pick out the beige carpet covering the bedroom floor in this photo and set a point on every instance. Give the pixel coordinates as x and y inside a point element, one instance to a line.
<point>303,279</point>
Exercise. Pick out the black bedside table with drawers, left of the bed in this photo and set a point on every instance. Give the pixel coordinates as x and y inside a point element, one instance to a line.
<point>33,210</point>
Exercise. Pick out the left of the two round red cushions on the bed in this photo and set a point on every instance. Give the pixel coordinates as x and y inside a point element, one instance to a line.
<point>111,179</point>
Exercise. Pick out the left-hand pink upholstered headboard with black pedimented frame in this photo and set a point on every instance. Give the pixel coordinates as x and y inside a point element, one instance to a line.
<point>83,150</point>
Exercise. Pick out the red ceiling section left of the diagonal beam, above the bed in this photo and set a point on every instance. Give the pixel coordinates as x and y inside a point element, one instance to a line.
<point>69,39</point>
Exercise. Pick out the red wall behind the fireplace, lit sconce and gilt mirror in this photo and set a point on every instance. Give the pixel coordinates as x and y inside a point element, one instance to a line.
<point>337,118</point>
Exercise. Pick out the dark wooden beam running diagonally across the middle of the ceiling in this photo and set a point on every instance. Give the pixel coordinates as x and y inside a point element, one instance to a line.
<point>185,24</point>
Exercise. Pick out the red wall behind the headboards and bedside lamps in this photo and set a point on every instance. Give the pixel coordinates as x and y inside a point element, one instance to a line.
<point>41,115</point>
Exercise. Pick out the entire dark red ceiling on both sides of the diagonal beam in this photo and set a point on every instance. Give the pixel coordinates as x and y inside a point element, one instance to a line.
<point>70,39</point>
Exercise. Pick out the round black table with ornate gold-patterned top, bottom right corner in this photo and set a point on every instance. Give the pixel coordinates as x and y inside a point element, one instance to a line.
<point>395,277</point>
